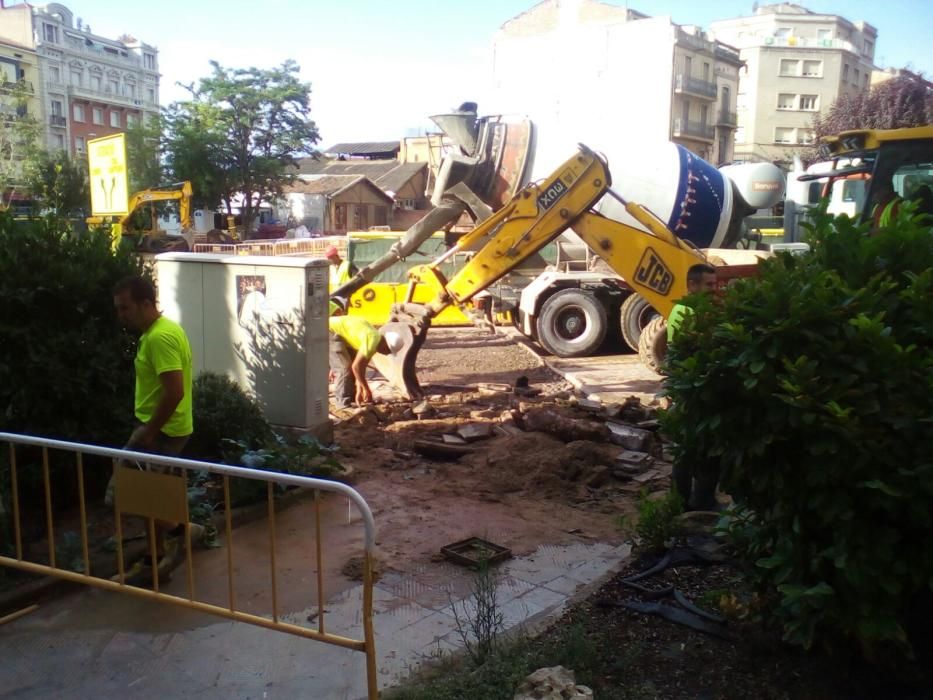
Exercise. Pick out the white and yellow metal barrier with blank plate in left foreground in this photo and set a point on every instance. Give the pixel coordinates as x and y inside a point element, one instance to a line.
<point>162,496</point>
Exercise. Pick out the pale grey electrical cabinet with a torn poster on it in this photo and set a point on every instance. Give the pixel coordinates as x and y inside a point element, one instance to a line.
<point>260,320</point>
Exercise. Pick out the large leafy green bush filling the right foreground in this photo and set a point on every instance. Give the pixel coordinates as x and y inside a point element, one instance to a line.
<point>811,388</point>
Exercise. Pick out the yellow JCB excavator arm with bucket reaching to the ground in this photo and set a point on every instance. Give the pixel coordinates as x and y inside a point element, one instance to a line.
<point>655,263</point>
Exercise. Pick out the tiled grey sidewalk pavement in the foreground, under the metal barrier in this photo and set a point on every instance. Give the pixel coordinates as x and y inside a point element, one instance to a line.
<point>101,644</point>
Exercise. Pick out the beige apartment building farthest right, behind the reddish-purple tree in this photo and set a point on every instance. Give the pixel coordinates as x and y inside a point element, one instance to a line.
<point>797,63</point>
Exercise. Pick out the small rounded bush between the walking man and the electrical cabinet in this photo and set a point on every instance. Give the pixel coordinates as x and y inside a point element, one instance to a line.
<point>223,411</point>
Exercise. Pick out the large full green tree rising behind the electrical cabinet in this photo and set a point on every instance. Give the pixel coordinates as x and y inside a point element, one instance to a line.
<point>241,133</point>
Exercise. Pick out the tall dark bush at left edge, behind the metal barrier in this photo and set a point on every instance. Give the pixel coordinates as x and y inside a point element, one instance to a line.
<point>66,365</point>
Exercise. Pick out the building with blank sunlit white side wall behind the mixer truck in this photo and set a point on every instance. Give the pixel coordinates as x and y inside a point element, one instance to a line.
<point>614,79</point>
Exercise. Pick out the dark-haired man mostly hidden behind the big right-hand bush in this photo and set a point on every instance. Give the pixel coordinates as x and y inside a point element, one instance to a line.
<point>690,480</point>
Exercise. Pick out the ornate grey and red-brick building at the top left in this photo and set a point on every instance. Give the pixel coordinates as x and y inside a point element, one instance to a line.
<point>87,86</point>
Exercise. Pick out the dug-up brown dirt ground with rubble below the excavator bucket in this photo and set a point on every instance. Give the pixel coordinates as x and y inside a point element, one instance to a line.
<point>518,490</point>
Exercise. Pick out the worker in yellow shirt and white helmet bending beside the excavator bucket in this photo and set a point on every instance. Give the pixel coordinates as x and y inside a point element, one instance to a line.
<point>353,342</point>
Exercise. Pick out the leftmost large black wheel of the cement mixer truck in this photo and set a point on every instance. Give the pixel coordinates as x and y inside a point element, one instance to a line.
<point>572,323</point>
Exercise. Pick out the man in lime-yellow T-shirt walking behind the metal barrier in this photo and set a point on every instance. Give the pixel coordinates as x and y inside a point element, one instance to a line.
<point>162,397</point>
